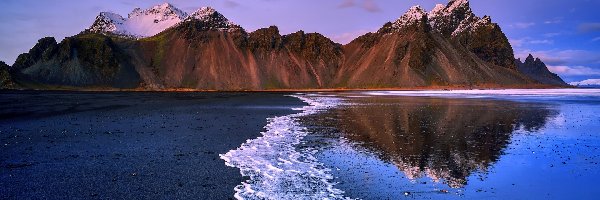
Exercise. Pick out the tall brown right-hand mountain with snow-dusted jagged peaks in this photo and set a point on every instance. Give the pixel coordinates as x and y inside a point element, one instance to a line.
<point>447,47</point>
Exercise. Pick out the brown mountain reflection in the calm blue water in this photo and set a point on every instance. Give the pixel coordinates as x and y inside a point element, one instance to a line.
<point>444,139</point>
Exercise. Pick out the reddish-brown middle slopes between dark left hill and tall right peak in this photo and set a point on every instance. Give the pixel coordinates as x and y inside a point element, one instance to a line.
<point>186,57</point>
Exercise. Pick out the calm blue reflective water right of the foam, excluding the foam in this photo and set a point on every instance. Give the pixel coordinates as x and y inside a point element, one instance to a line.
<point>461,146</point>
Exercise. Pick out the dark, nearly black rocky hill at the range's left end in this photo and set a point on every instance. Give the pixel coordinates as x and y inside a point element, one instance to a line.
<point>78,61</point>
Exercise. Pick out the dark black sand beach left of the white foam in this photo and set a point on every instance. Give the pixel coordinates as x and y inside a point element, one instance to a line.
<point>75,145</point>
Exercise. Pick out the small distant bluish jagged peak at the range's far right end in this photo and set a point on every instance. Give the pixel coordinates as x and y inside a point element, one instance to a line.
<point>537,70</point>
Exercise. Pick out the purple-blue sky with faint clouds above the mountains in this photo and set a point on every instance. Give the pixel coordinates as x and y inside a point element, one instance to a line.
<point>564,34</point>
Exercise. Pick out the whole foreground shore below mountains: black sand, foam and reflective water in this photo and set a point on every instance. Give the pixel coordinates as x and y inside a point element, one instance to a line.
<point>456,144</point>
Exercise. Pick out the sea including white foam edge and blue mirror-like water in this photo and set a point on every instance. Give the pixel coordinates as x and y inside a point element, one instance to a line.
<point>456,144</point>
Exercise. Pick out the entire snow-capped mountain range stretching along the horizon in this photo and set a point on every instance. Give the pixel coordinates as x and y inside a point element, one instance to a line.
<point>164,48</point>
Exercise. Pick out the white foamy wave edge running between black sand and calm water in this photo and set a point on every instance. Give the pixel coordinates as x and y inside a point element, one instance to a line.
<point>279,170</point>
